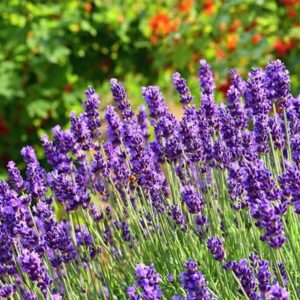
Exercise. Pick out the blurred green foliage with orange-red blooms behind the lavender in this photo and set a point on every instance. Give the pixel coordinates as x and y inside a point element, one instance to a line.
<point>50,51</point>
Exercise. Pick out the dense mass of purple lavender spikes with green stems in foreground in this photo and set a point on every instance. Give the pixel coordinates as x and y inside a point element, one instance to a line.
<point>152,207</point>
